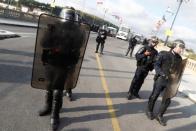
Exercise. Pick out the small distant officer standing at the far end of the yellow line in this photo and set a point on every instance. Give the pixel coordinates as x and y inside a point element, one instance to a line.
<point>101,37</point>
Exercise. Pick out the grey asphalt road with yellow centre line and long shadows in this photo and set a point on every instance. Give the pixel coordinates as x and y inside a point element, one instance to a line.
<point>100,102</point>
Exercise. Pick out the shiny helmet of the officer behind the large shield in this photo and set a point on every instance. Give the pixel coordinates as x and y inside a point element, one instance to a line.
<point>69,14</point>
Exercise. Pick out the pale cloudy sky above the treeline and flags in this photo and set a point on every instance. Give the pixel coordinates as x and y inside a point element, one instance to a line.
<point>142,15</point>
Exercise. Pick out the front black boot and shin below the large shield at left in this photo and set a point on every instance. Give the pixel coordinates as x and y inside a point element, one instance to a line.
<point>57,104</point>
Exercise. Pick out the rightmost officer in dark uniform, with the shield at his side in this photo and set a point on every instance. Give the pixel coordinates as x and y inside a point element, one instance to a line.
<point>168,72</point>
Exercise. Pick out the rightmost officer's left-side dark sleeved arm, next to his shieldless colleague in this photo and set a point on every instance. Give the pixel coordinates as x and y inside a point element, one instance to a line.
<point>158,63</point>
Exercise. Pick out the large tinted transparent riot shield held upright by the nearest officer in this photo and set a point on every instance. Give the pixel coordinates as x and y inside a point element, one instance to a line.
<point>61,44</point>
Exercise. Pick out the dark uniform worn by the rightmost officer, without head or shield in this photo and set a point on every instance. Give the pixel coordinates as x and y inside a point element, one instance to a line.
<point>166,64</point>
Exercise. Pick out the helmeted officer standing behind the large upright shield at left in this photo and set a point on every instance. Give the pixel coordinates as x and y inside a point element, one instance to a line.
<point>61,51</point>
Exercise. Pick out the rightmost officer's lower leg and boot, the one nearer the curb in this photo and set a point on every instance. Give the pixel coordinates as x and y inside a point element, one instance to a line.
<point>164,105</point>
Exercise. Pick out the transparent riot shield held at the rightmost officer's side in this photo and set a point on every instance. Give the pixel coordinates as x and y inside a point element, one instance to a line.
<point>174,82</point>
